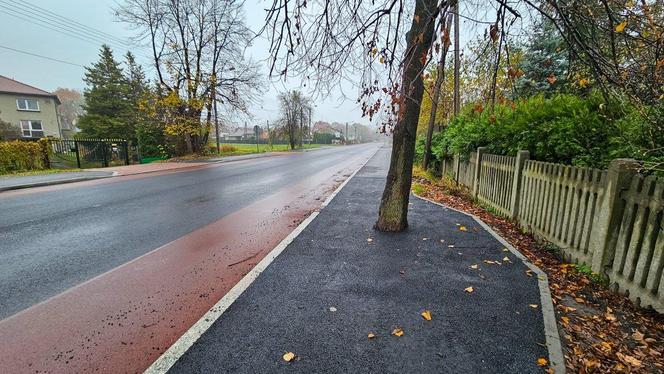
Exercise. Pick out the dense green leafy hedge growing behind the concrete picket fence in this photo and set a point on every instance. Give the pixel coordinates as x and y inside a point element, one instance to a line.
<point>563,128</point>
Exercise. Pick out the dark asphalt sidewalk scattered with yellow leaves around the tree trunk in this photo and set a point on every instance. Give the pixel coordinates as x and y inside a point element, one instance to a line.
<point>340,280</point>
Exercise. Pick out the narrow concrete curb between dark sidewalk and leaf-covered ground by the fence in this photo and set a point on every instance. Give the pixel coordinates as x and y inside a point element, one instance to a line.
<point>556,357</point>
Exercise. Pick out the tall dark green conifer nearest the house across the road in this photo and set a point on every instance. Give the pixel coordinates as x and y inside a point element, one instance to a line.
<point>106,103</point>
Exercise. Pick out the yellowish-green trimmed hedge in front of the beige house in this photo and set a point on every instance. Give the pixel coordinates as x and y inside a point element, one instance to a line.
<point>17,156</point>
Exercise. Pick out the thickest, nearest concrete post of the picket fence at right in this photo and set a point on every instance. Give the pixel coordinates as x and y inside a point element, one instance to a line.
<point>605,232</point>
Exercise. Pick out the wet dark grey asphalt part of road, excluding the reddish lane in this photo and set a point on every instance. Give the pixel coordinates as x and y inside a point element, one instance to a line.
<point>55,239</point>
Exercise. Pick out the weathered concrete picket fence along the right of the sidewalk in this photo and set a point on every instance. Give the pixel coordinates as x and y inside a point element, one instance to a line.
<point>611,220</point>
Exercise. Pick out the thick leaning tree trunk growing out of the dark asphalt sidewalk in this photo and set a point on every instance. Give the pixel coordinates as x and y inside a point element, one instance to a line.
<point>393,212</point>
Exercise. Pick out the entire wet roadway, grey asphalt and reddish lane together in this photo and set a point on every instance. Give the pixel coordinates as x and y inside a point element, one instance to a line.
<point>105,275</point>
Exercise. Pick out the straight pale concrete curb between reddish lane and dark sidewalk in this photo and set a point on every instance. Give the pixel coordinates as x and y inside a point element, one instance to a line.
<point>186,340</point>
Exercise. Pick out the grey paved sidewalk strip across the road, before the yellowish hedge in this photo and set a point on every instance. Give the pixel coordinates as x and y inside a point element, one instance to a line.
<point>11,182</point>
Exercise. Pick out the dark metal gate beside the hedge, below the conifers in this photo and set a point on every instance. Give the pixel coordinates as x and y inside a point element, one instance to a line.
<point>89,153</point>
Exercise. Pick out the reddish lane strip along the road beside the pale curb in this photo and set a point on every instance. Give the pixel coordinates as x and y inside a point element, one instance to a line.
<point>122,320</point>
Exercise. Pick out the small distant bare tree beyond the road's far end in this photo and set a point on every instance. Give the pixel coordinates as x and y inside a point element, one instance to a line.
<point>295,111</point>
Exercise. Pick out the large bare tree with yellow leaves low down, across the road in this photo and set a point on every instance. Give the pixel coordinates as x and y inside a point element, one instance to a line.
<point>198,53</point>
